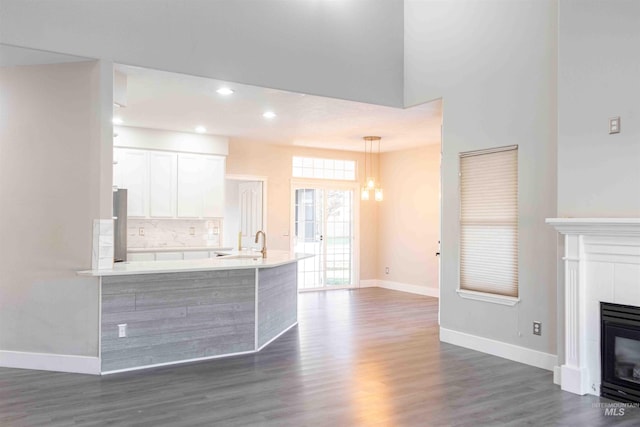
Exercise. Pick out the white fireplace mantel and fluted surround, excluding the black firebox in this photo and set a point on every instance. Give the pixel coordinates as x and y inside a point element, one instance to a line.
<point>601,264</point>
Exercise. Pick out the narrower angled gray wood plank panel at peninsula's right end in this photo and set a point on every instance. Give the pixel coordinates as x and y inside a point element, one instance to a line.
<point>277,301</point>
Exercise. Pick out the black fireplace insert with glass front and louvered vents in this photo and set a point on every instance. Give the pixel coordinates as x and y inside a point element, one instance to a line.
<point>620,352</point>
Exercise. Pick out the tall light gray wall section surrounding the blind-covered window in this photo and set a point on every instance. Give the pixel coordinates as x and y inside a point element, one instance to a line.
<point>494,64</point>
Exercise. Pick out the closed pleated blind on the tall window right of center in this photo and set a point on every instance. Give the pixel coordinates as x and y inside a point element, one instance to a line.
<point>489,221</point>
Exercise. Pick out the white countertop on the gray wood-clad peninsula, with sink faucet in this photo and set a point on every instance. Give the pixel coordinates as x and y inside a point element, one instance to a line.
<point>237,260</point>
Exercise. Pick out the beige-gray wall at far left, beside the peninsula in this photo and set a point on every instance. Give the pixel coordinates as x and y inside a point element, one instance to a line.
<point>50,187</point>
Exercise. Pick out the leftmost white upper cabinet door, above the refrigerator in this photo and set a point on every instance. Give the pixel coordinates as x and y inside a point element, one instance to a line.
<point>131,173</point>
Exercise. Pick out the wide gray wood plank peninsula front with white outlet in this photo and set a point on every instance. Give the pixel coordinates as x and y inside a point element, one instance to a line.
<point>174,317</point>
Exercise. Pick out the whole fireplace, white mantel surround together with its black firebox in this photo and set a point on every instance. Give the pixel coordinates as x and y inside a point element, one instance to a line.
<point>601,265</point>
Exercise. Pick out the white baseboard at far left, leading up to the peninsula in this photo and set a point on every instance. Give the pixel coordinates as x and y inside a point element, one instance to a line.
<point>50,362</point>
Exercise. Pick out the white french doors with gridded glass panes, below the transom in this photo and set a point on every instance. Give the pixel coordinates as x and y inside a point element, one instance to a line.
<point>324,225</point>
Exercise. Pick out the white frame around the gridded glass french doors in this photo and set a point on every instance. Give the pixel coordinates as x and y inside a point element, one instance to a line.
<point>327,184</point>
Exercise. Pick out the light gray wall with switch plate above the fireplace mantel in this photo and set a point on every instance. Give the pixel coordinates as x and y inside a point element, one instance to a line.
<point>598,78</point>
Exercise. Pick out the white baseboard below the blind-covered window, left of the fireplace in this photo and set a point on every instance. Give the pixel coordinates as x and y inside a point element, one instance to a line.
<point>497,348</point>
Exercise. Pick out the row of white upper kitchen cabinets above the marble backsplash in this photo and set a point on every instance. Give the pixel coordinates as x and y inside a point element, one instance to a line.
<point>163,184</point>
